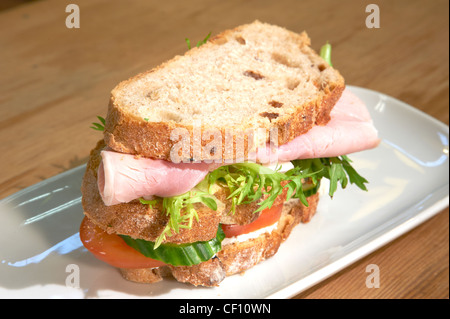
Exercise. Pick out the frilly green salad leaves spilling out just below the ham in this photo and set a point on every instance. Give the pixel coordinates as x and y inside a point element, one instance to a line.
<point>249,182</point>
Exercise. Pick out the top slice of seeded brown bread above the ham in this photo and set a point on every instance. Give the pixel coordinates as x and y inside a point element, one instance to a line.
<point>256,76</point>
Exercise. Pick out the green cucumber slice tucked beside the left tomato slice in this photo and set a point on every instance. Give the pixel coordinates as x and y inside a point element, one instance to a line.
<point>179,254</point>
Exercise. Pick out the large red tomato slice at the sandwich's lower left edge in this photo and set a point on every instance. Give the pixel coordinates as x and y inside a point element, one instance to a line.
<point>112,249</point>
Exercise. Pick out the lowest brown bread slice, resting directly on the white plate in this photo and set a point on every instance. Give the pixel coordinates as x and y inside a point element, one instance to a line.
<point>234,257</point>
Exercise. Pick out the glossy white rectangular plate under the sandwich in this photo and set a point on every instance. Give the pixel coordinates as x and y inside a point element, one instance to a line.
<point>408,174</point>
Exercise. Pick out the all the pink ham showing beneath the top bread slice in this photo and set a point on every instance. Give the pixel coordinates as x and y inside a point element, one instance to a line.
<point>124,177</point>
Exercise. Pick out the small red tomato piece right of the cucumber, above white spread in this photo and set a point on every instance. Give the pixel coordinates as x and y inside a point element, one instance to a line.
<point>268,217</point>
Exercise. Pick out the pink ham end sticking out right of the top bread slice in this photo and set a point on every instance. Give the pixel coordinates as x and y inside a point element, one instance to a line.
<point>350,130</point>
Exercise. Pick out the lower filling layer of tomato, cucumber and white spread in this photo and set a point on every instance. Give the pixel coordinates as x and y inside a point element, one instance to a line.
<point>125,252</point>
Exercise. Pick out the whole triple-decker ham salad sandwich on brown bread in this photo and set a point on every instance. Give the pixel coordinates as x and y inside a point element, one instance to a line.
<point>209,161</point>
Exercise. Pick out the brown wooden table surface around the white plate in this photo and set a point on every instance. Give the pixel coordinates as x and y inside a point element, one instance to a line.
<point>55,80</point>
